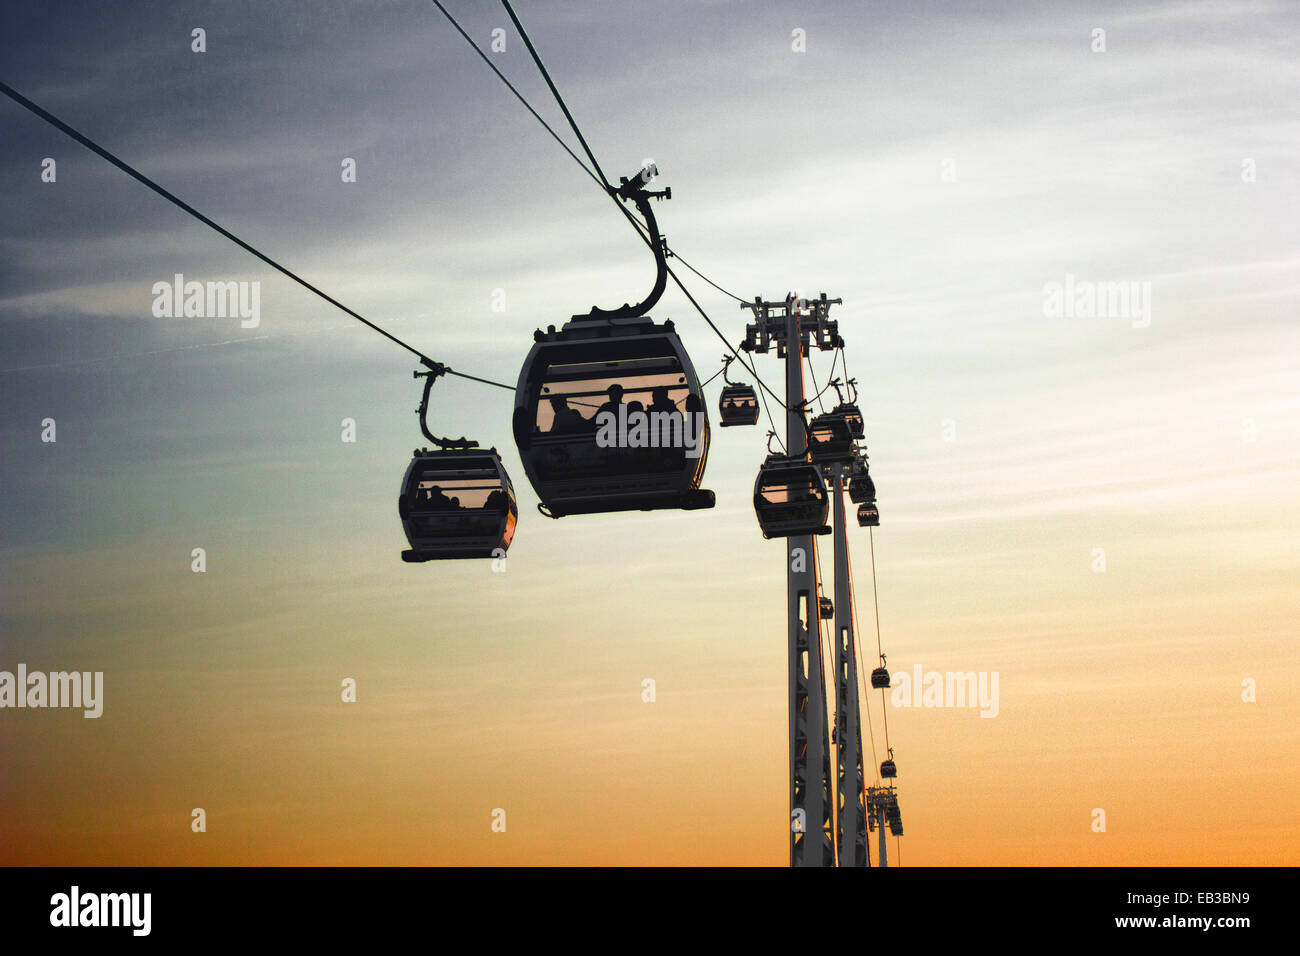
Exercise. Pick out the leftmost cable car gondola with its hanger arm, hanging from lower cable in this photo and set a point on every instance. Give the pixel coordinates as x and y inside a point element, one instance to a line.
<point>457,501</point>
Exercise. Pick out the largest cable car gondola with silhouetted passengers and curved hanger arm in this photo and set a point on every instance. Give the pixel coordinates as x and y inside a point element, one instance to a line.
<point>609,412</point>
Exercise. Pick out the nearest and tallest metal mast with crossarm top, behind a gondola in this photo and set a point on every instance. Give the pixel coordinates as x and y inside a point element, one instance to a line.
<point>791,323</point>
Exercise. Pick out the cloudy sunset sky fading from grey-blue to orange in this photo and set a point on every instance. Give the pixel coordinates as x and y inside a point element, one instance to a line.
<point>933,166</point>
